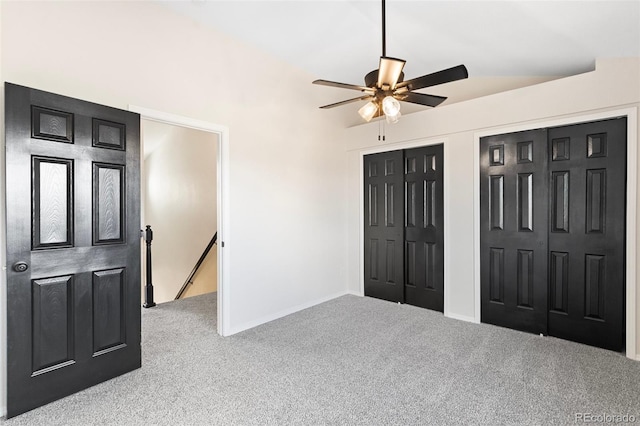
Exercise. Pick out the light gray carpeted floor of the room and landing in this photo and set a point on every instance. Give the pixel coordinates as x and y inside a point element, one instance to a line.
<point>350,361</point>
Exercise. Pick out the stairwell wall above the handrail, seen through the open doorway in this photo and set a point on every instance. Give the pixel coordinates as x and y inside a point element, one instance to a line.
<point>180,201</point>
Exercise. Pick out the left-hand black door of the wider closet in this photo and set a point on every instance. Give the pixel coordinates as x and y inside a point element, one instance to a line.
<point>513,230</point>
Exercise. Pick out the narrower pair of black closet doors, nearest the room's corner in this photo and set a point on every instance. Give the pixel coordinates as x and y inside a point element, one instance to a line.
<point>403,232</point>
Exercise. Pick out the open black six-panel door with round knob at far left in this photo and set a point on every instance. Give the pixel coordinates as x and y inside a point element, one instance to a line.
<point>73,245</point>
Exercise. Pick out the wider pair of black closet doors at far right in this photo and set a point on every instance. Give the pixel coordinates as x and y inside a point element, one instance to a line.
<point>552,237</point>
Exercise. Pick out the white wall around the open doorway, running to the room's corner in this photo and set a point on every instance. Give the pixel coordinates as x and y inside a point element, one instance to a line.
<point>286,169</point>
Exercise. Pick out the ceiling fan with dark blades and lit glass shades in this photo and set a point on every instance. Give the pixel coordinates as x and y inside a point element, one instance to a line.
<point>385,86</point>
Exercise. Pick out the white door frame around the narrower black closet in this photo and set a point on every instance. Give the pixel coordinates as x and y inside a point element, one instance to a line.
<point>445,200</point>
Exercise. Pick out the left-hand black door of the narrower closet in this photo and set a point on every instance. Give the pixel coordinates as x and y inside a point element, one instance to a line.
<point>384,227</point>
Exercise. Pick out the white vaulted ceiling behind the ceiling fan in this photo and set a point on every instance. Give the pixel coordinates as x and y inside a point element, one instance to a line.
<point>504,44</point>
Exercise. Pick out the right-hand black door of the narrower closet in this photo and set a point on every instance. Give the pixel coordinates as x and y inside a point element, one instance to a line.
<point>424,235</point>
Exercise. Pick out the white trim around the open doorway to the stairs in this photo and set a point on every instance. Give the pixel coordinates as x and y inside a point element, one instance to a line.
<point>224,282</point>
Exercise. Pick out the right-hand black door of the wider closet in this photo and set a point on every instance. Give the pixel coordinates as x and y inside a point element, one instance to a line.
<point>587,169</point>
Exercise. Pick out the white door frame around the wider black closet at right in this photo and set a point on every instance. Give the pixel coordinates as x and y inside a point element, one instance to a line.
<point>631,114</point>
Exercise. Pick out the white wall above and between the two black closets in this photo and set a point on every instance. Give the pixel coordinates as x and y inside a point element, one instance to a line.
<point>614,84</point>
